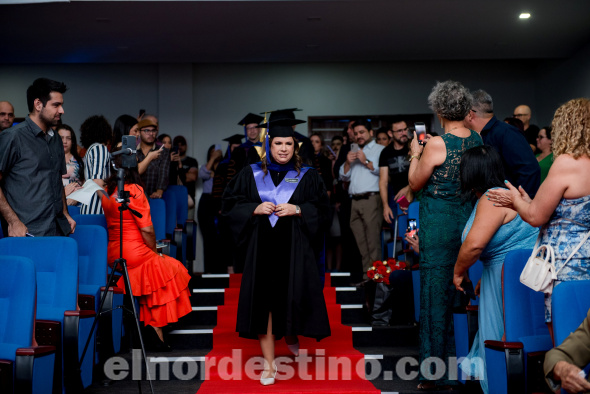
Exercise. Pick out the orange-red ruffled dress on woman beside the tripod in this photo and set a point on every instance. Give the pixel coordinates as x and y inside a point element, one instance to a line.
<point>160,282</point>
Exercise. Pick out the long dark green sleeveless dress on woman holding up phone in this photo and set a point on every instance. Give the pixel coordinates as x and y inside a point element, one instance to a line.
<point>442,218</point>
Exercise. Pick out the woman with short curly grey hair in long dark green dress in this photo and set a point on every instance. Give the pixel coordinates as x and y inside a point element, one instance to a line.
<point>434,169</point>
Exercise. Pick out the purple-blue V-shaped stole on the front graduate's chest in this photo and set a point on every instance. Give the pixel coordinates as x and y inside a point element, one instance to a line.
<point>277,195</point>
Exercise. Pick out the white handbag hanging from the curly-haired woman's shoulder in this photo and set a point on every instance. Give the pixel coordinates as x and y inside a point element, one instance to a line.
<point>539,272</point>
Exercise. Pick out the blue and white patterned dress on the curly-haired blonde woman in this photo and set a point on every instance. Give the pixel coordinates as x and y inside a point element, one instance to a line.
<point>567,226</point>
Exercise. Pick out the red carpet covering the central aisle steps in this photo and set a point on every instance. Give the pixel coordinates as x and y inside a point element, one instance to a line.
<point>329,366</point>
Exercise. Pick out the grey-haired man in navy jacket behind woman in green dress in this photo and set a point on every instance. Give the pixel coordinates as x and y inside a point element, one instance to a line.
<point>520,165</point>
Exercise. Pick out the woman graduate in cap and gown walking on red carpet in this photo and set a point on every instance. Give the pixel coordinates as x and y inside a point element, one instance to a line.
<point>277,211</point>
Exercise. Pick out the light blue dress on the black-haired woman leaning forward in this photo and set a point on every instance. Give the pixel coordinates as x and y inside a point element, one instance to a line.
<point>514,235</point>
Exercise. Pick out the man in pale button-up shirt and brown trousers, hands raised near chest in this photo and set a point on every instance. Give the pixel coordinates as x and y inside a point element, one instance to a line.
<point>362,171</point>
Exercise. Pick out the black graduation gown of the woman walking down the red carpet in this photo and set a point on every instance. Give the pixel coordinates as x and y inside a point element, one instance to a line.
<point>280,270</point>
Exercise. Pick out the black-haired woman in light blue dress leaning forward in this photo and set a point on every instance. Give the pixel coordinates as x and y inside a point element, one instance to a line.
<point>490,233</point>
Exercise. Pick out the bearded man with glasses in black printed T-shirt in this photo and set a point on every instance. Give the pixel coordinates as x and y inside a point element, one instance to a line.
<point>393,170</point>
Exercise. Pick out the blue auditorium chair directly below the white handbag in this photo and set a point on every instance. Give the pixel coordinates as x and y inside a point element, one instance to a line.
<point>511,363</point>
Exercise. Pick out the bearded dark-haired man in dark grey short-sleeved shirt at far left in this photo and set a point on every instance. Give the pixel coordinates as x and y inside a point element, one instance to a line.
<point>32,198</point>
